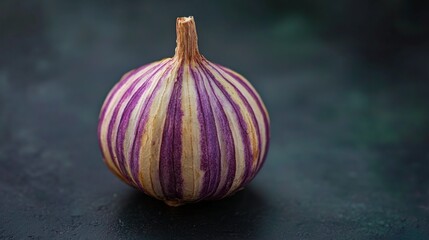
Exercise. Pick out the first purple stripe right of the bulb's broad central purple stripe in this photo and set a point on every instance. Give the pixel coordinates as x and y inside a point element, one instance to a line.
<point>210,150</point>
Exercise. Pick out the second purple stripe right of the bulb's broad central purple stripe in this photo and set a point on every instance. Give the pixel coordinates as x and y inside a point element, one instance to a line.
<point>228,142</point>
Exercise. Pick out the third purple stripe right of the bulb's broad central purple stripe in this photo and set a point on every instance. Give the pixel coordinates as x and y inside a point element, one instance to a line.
<point>242,123</point>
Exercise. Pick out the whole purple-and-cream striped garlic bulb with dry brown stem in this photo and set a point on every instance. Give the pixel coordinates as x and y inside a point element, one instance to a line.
<point>184,129</point>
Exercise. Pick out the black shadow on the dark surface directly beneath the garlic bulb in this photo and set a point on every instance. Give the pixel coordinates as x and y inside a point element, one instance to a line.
<point>233,217</point>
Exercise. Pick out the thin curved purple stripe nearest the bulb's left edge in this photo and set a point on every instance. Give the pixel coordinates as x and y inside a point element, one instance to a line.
<point>120,165</point>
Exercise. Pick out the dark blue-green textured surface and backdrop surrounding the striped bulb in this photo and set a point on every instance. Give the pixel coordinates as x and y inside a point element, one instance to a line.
<point>345,82</point>
